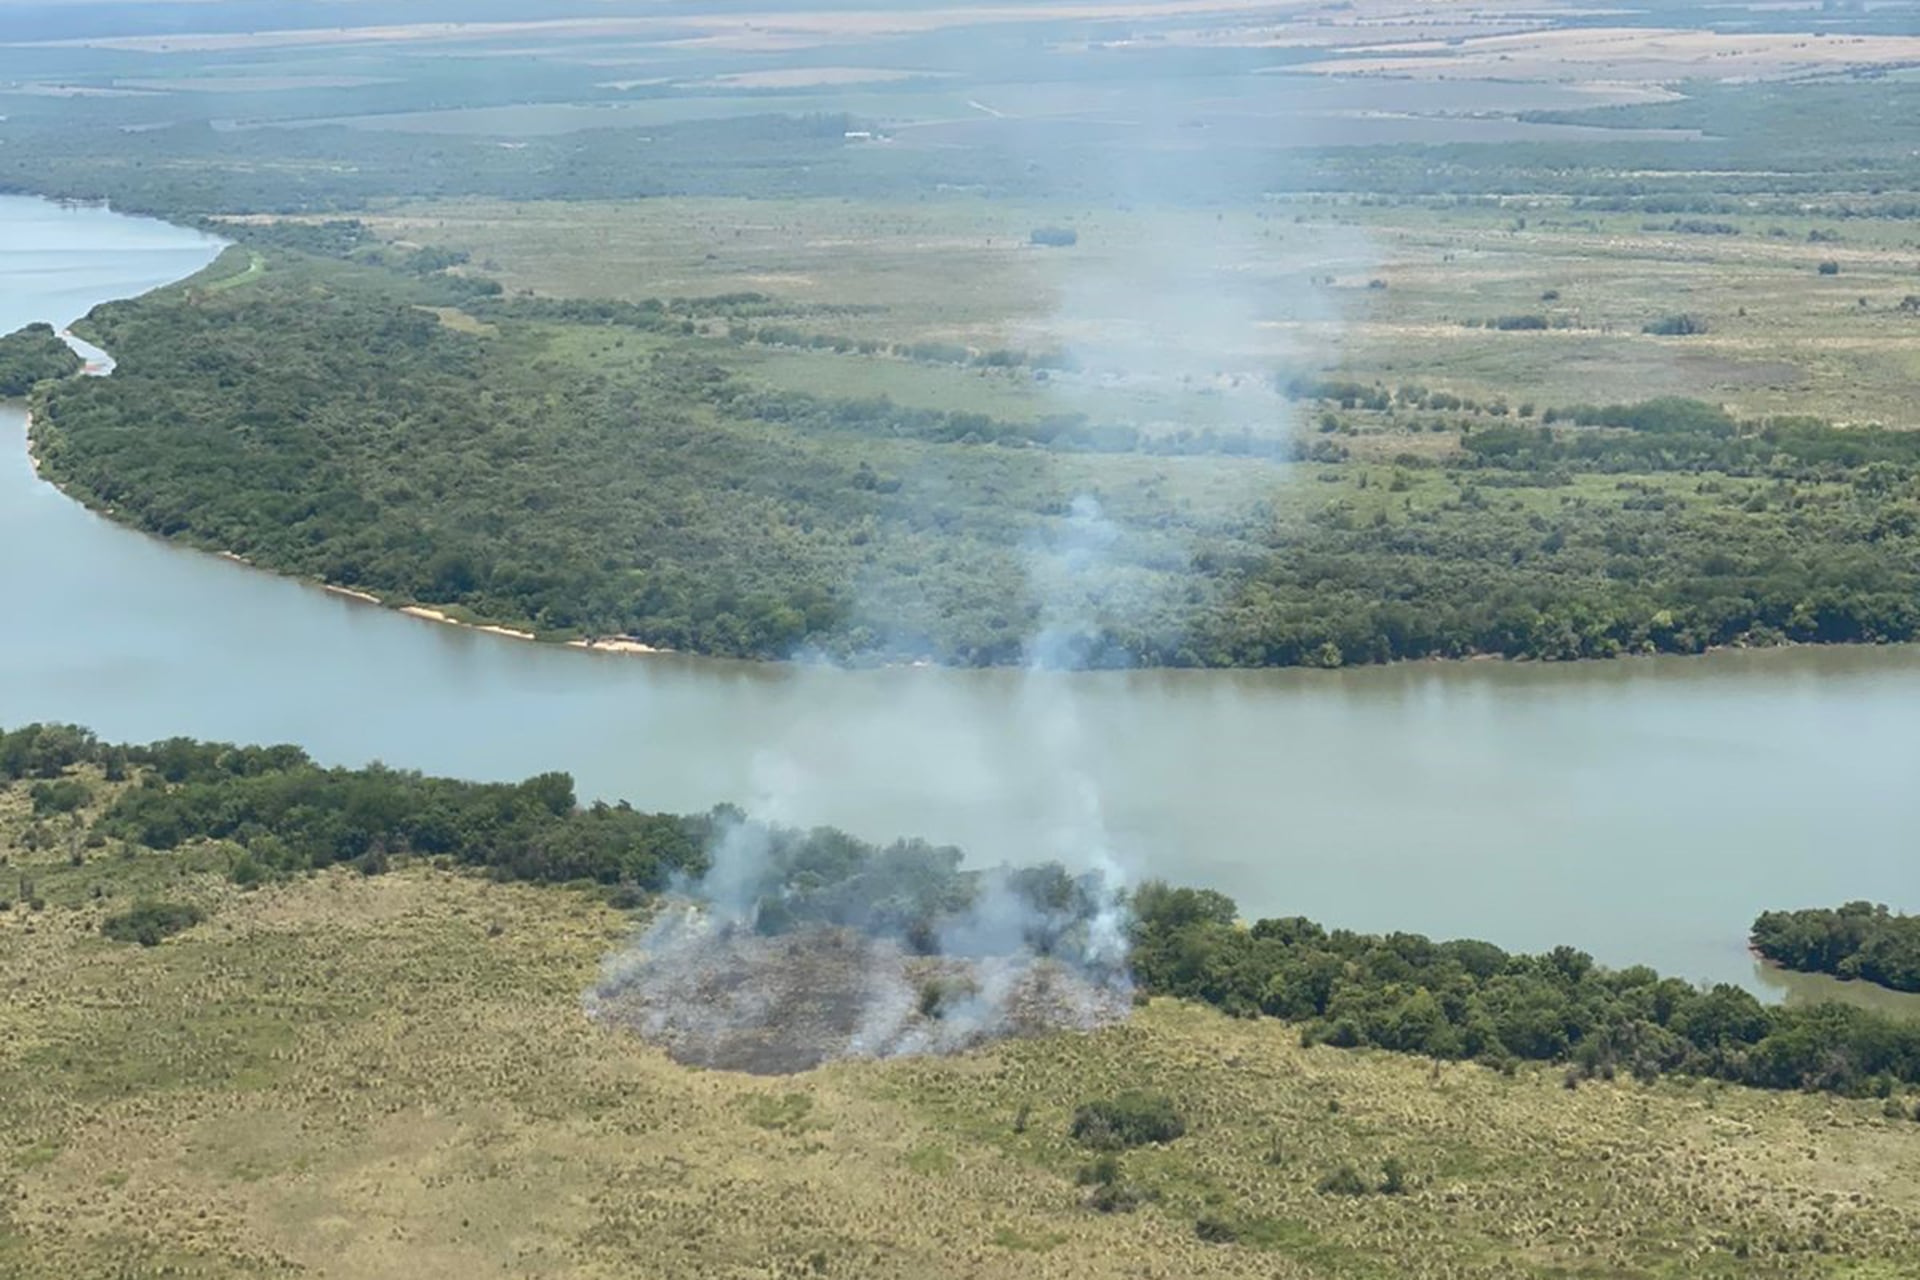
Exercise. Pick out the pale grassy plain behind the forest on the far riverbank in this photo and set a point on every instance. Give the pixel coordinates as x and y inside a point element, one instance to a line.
<point>1172,308</point>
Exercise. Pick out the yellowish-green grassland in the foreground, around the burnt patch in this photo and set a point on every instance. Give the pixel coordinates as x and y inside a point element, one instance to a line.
<point>393,1076</point>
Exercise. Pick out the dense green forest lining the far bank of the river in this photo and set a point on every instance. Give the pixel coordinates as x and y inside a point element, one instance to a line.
<point>600,469</point>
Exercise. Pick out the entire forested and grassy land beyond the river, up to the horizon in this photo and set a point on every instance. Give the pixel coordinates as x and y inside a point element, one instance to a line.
<point>811,371</point>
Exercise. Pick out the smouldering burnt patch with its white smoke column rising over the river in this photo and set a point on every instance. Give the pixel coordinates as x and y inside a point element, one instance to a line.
<point>754,966</point>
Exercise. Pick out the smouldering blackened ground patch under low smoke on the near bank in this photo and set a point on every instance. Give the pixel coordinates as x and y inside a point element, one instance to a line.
<point>771,964</point>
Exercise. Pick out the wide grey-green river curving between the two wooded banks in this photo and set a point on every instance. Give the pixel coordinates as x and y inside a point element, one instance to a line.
<point>1644,811</point>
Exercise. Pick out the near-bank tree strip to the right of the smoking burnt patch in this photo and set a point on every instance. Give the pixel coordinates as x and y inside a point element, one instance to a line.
<point>1476,1001</point>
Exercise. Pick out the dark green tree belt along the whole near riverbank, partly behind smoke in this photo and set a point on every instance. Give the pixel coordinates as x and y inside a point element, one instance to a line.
<point>281,815</point>
